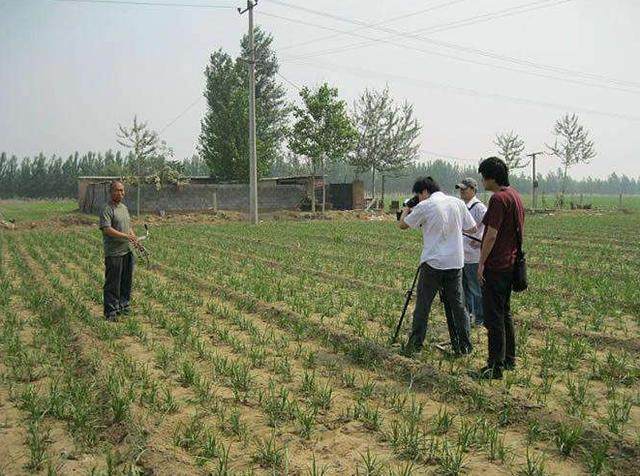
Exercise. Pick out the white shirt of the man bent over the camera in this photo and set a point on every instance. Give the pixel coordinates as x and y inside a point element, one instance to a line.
<point>442,219</point>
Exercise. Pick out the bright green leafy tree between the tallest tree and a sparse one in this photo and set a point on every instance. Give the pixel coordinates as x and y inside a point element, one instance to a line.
<point>322,132</point>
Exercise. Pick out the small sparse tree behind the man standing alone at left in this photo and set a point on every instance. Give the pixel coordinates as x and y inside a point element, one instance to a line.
<point>145,145</point>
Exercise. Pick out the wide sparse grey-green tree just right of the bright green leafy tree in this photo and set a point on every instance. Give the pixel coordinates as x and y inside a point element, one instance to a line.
<point>387,134</point>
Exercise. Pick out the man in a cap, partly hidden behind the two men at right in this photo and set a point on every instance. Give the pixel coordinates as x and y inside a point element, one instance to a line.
<point>472,289</point>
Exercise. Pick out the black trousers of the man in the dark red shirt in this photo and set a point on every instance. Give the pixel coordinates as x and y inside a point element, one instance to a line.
<point>496,301</point>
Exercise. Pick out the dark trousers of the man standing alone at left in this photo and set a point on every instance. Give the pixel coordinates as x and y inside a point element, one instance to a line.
<point>118,276</point>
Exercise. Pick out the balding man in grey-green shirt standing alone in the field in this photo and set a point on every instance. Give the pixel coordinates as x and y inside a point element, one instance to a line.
<point>117,237</point>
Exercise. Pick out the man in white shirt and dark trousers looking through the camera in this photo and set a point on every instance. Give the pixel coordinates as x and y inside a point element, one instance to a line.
<point>443,219</point>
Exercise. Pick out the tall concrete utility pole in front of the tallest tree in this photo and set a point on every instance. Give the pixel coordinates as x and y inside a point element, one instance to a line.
<point>253,166</point>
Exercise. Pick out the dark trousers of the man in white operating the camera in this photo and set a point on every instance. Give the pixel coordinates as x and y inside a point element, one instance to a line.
<point>449,281</point>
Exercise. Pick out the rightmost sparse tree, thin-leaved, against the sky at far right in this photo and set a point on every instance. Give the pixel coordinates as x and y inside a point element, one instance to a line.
<point>572,145</point>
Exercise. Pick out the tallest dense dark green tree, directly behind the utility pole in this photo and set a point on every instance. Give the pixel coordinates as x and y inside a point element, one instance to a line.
<point>224,137</point>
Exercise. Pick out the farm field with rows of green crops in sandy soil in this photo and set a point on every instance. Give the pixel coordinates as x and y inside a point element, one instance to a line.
<point>265,350</point>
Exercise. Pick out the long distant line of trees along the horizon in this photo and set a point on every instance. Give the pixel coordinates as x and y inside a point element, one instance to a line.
<point>56,177</point>
